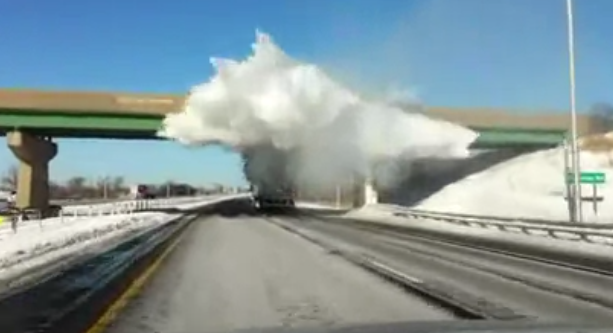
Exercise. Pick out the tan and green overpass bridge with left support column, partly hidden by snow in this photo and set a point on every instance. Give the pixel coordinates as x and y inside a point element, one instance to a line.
<point>31,119</point>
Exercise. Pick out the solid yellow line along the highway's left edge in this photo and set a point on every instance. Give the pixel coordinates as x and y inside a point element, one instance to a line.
<point>133,289</point>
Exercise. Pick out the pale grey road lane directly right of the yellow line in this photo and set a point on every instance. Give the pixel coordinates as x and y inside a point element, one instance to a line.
<point>244,272</point>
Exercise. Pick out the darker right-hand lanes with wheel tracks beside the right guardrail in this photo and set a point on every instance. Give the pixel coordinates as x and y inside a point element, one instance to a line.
<point>529,288</point>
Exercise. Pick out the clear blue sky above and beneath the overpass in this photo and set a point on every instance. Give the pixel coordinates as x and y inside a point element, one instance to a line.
<point>494,53</point>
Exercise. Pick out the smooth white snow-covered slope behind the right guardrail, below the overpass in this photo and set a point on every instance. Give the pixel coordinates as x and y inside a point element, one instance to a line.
<point>530,185</point>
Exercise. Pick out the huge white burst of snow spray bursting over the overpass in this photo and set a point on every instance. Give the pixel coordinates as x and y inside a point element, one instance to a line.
<point>272,102</point>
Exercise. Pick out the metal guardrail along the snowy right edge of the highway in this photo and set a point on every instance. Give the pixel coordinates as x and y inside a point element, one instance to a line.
<point>601,233</point>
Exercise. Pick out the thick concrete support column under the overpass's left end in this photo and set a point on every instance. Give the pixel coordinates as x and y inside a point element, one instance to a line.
<point>34,154</point>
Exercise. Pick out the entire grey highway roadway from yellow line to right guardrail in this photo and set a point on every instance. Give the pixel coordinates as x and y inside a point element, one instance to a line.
<point>238,270</point>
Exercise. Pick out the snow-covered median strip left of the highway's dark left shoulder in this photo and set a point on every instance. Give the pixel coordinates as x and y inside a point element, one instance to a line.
<point>58,242</point>
